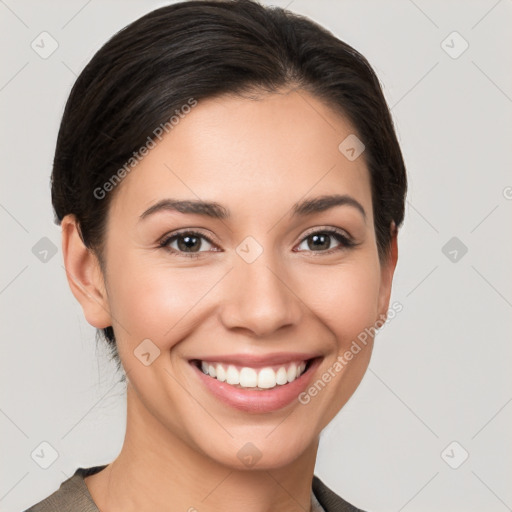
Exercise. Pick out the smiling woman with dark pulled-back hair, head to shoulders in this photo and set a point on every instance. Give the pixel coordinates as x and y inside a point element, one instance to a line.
<point>229,186</point>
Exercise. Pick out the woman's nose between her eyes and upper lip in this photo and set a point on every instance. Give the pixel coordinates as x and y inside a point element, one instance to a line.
<point>260,297</point>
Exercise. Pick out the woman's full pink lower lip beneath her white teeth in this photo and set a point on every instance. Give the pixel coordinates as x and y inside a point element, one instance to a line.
<point>258,401</point>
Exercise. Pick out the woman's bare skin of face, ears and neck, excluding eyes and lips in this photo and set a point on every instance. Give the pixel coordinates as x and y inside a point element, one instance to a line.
<point>257,158</point>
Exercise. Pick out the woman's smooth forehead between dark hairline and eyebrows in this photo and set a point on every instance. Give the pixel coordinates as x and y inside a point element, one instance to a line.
<point>259,153</point>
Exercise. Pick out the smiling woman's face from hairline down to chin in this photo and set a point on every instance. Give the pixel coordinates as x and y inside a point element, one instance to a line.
<point>268,288</point>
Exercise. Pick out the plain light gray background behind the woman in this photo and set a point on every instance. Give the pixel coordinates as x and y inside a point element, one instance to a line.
<point>441,369</point>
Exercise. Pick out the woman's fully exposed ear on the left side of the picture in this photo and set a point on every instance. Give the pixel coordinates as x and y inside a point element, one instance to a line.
<point>84,275</point>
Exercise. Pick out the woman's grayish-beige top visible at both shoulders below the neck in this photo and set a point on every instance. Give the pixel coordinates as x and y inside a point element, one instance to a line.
<point>73,496</point>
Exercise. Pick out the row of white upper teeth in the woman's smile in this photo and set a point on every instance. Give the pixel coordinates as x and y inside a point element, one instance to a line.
<point>246,377</point>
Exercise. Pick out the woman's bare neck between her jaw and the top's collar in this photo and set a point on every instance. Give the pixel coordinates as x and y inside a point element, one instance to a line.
<point>158,470</point>
